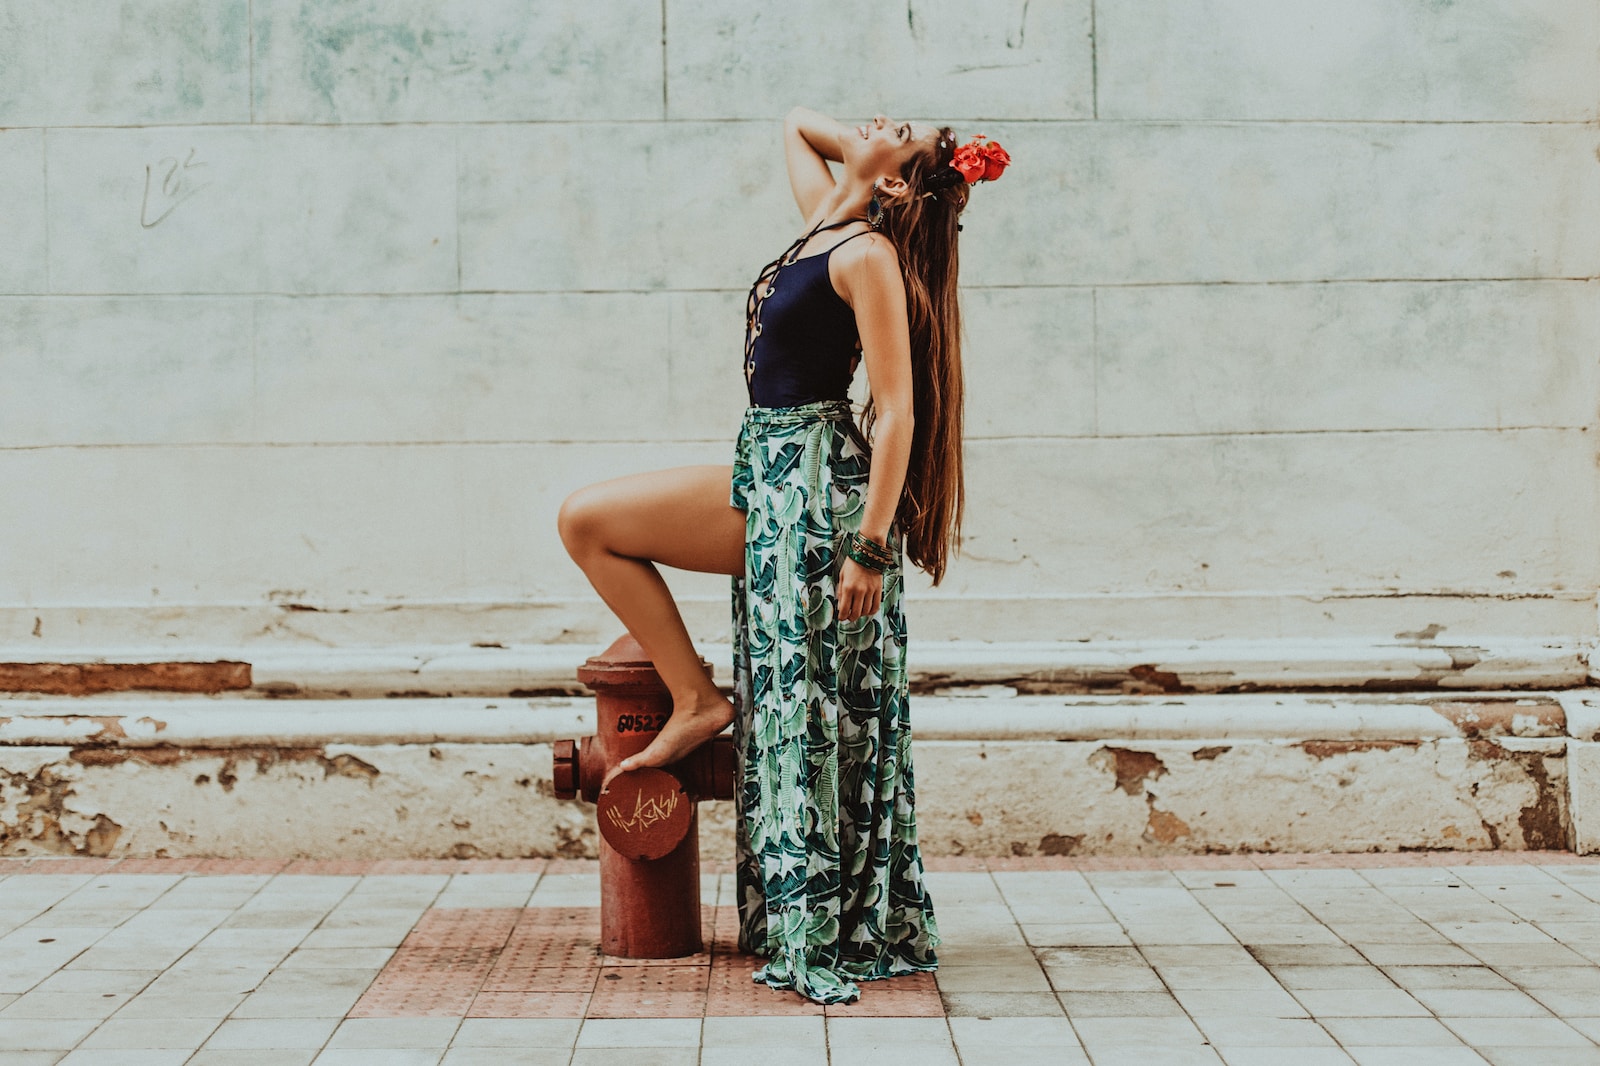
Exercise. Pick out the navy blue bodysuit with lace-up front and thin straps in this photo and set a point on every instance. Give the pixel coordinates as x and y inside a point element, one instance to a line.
<point>801,335</point>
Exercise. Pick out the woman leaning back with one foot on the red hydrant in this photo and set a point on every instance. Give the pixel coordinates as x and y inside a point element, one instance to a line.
<point>810,523</point>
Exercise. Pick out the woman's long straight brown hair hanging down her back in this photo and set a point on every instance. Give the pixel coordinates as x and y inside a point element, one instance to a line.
<point>924,228</point>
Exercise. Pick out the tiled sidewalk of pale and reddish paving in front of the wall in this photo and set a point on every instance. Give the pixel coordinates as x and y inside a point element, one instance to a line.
<point>1274,961</point>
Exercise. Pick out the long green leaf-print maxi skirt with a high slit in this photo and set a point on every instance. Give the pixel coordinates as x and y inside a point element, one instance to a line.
<point>830,876</point>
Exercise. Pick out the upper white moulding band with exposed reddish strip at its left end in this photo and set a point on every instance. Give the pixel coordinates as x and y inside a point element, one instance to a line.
<point>1415,663</point>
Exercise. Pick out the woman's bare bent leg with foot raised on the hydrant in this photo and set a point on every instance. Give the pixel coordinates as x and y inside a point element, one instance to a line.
<point>617,532</point>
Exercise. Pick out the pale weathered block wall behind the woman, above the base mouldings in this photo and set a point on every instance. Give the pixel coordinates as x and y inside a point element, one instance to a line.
<point>1284,326</point>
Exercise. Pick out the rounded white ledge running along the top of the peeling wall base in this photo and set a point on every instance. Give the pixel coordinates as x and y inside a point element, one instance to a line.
<point>983,715</point>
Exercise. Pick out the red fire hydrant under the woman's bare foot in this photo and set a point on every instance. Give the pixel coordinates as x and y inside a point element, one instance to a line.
<point>649,819</point>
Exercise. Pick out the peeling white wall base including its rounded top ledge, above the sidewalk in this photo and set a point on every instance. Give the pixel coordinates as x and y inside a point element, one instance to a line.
<point>996,772</point>
